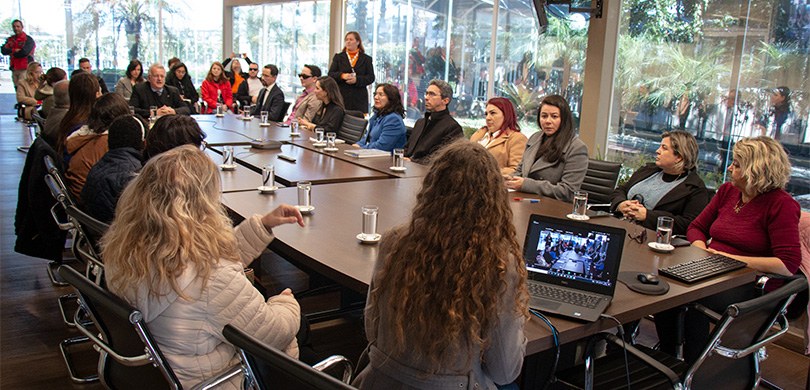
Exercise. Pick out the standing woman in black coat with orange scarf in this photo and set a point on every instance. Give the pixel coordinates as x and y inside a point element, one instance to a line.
<point>353,70</point>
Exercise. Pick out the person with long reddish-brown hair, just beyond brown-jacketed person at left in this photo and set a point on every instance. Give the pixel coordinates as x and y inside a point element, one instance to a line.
<point>83,90</point>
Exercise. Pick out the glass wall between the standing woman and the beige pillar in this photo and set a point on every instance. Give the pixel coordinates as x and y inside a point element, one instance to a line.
<point>415,41</point>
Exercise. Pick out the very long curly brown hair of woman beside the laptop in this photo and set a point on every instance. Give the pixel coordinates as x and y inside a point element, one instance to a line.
<point>446,272</point>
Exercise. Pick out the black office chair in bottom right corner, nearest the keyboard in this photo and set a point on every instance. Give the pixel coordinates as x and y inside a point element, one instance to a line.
<point>730,360</point>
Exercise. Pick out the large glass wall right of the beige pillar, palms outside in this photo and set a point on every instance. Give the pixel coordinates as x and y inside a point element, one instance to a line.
<point>712,68</point>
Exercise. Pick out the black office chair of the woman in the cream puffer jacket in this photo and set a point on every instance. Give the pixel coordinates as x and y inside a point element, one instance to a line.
<point>130,358</point>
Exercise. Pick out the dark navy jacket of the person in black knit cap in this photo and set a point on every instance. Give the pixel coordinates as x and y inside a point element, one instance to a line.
<point>106,182</point>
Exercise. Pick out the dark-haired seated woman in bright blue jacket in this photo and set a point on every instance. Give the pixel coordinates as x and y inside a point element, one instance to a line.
<point>386,130</point>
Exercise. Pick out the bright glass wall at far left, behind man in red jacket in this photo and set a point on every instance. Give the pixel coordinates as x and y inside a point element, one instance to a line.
<point>111,32</point>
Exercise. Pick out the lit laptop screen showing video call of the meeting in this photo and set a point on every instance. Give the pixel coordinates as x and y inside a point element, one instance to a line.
<point>570,254</point>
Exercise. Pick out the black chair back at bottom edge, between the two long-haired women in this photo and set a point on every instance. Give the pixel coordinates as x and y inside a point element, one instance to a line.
<point>284,368</point>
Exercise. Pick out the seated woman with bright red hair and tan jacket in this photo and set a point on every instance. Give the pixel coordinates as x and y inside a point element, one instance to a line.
<point>501,136</point>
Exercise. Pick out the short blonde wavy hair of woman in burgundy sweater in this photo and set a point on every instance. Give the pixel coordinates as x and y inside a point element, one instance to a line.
<point>764,164</point>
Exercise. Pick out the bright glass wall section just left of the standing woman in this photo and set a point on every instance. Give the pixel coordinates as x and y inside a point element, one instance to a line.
<point>287,35</point>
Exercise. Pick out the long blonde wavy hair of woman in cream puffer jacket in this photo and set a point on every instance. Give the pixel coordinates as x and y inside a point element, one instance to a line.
<point>167,219</point>
